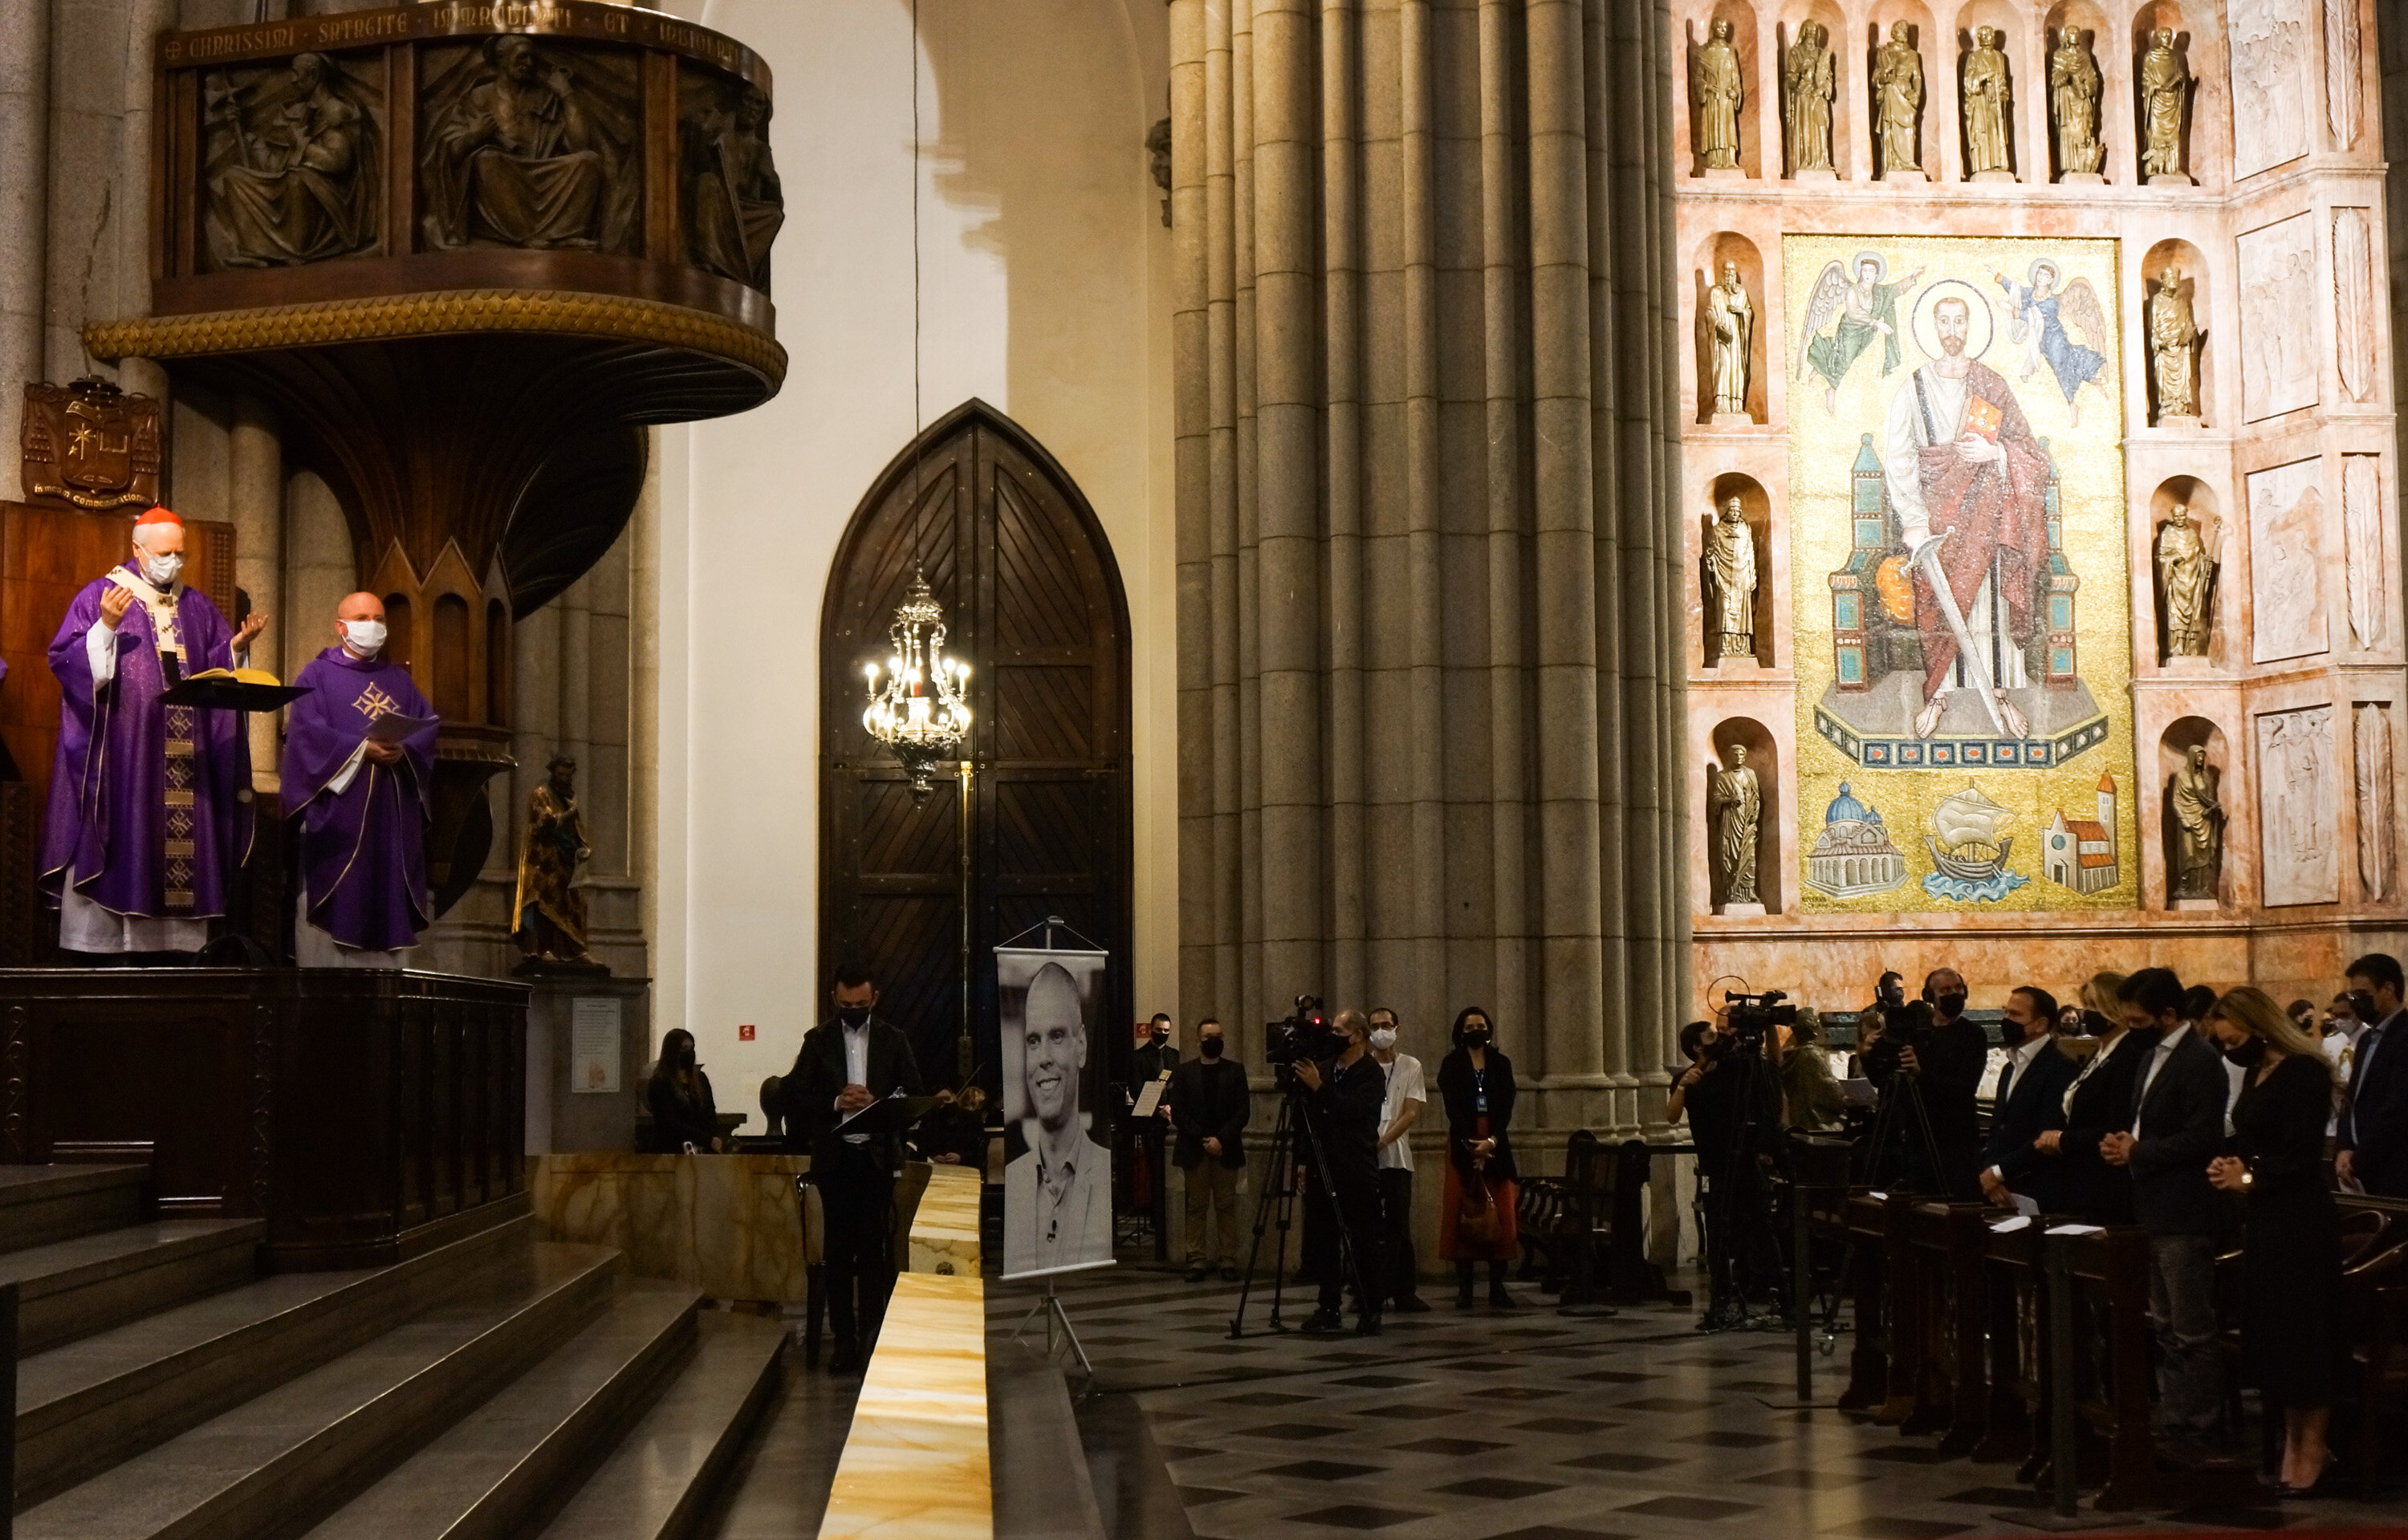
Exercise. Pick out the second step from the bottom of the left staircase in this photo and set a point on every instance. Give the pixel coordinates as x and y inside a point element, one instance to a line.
<point>495,1471</point>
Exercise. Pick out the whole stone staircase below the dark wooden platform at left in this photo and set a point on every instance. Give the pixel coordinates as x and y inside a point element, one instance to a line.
<point>490,1387</point>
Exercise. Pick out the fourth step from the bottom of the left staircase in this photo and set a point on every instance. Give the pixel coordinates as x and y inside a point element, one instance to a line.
<point>100,1399</point>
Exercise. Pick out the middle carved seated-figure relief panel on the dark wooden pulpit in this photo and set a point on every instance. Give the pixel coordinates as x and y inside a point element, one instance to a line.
<point>531,148</point>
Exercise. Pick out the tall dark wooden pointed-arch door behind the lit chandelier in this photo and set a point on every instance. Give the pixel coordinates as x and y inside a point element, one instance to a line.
<point>1034,605</point>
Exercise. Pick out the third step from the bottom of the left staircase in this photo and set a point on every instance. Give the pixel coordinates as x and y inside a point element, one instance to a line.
<point>312,1443</point>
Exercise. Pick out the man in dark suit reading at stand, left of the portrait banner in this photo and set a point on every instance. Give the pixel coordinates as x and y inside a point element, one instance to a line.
<point>844,1067</point>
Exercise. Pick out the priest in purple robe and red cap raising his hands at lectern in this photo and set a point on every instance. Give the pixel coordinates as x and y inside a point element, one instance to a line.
<point>150,802</point>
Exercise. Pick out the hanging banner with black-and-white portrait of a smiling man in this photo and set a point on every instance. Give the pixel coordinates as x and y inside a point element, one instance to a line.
<point>1058,1127</point>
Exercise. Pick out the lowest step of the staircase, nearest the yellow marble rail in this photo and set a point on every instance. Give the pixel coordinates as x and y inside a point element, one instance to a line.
<point>661,1481</point>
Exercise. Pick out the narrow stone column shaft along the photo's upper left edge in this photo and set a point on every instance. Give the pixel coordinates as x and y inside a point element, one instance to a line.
<point>25,208</point>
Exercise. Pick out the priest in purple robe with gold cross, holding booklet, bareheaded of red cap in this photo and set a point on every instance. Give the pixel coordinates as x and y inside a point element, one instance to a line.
<point>362,802</point>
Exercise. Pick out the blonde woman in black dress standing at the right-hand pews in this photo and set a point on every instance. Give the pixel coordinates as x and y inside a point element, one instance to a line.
<point>2294,1344</point>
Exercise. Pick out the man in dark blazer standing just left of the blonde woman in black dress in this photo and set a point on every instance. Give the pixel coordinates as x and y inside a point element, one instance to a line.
<point>2178,1127</point>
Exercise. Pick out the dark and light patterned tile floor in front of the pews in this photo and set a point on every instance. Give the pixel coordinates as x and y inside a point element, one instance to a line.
<point>1530,1426</point>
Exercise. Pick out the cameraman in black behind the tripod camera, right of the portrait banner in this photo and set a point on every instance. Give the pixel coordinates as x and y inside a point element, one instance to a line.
<point>1342,1101</point>
